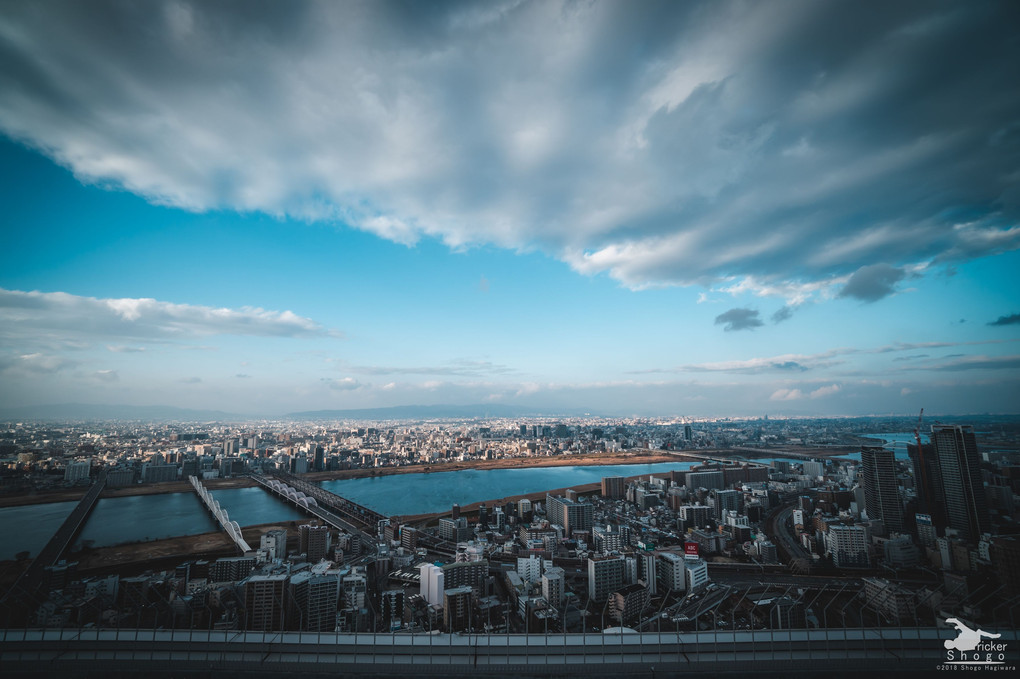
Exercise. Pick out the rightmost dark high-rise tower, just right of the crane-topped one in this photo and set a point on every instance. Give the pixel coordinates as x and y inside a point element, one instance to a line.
<point>966,507</point>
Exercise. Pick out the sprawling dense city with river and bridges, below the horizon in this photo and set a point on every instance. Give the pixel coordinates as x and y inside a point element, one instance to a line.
<point>763,525</point>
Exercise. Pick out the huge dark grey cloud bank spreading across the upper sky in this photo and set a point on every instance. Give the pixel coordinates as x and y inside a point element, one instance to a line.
<point>661,143</point>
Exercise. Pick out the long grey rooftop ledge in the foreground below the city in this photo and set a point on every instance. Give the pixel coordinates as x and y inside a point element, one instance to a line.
<point>88,653</point>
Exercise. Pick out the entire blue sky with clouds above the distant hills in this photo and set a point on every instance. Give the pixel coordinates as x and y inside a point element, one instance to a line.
<point>629,208</point>
